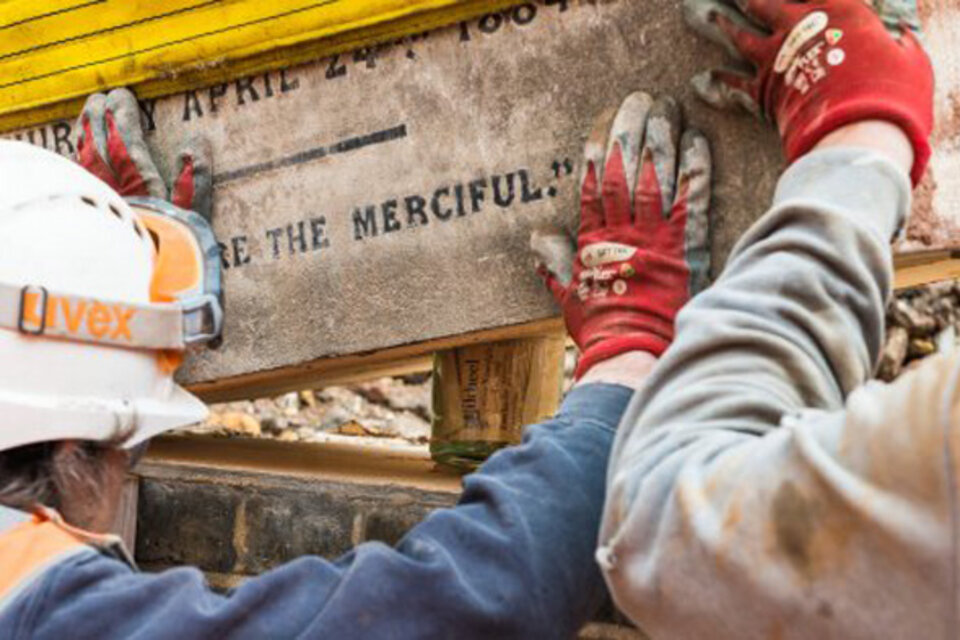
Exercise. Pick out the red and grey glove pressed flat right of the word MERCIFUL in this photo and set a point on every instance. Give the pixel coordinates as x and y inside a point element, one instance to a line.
<point>642,249</point>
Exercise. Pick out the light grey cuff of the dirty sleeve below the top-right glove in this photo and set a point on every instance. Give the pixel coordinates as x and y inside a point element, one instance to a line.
<point>860,184</point>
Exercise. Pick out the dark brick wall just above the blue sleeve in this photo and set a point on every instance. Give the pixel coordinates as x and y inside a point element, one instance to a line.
<point>235,524</point>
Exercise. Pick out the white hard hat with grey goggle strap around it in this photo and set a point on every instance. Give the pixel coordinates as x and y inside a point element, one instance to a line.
<point>87,349</point>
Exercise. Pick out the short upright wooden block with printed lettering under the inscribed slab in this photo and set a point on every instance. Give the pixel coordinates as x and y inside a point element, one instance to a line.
<point>484,396</point>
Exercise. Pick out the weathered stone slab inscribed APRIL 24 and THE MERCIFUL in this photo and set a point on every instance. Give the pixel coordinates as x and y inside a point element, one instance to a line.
<point>371,202</point>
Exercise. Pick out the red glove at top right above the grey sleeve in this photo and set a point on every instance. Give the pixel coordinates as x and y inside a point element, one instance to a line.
<point>821,65</point>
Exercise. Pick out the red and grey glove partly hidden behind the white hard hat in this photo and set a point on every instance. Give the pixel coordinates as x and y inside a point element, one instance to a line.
<point>111,146</point>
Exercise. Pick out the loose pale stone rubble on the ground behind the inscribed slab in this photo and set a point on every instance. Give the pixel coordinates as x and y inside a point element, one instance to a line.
<point>920,323</point>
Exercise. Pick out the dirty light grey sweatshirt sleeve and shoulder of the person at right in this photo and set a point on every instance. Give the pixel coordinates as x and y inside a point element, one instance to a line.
<point>759,486</point>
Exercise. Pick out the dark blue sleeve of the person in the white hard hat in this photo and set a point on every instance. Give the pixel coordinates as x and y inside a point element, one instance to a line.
<point>514,559</point>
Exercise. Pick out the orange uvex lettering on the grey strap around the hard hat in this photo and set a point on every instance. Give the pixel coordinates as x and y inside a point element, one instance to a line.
<point>53,314</point>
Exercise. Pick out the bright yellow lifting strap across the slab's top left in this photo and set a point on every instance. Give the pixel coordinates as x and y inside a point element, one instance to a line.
<point>53,53</point>
